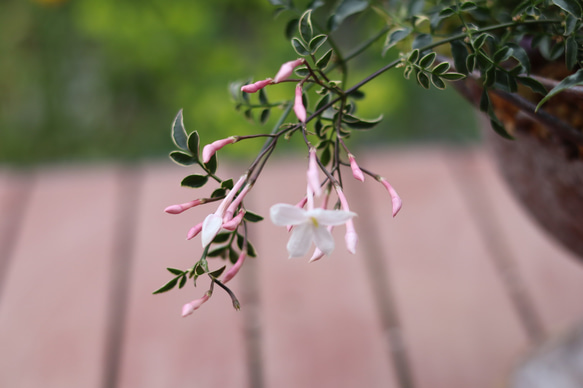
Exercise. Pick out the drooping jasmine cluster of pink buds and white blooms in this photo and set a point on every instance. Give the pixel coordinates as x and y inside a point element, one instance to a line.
<point>308,224</point>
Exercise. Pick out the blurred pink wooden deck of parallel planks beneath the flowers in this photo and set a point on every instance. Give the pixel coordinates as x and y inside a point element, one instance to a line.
<point>452,293</point>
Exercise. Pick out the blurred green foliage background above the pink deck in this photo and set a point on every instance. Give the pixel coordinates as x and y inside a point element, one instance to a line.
<point>84,80</point>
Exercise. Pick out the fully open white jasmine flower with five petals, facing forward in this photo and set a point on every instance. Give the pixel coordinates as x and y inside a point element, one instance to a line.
<point>309,225</point>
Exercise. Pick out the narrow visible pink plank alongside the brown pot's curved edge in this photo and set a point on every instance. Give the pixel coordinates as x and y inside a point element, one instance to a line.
<point>552,274</point>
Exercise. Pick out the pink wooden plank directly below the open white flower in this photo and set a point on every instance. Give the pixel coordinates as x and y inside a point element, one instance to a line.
<point>319,324</point>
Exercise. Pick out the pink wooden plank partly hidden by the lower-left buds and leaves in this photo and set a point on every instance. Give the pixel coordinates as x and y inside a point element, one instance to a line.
<point>162,349</point>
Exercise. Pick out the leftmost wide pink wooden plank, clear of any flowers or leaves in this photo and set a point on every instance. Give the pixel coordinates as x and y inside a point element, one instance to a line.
<point>52,315</point>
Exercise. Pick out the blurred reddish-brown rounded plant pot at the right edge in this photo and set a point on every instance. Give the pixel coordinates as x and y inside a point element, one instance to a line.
<point>543,166</point>
